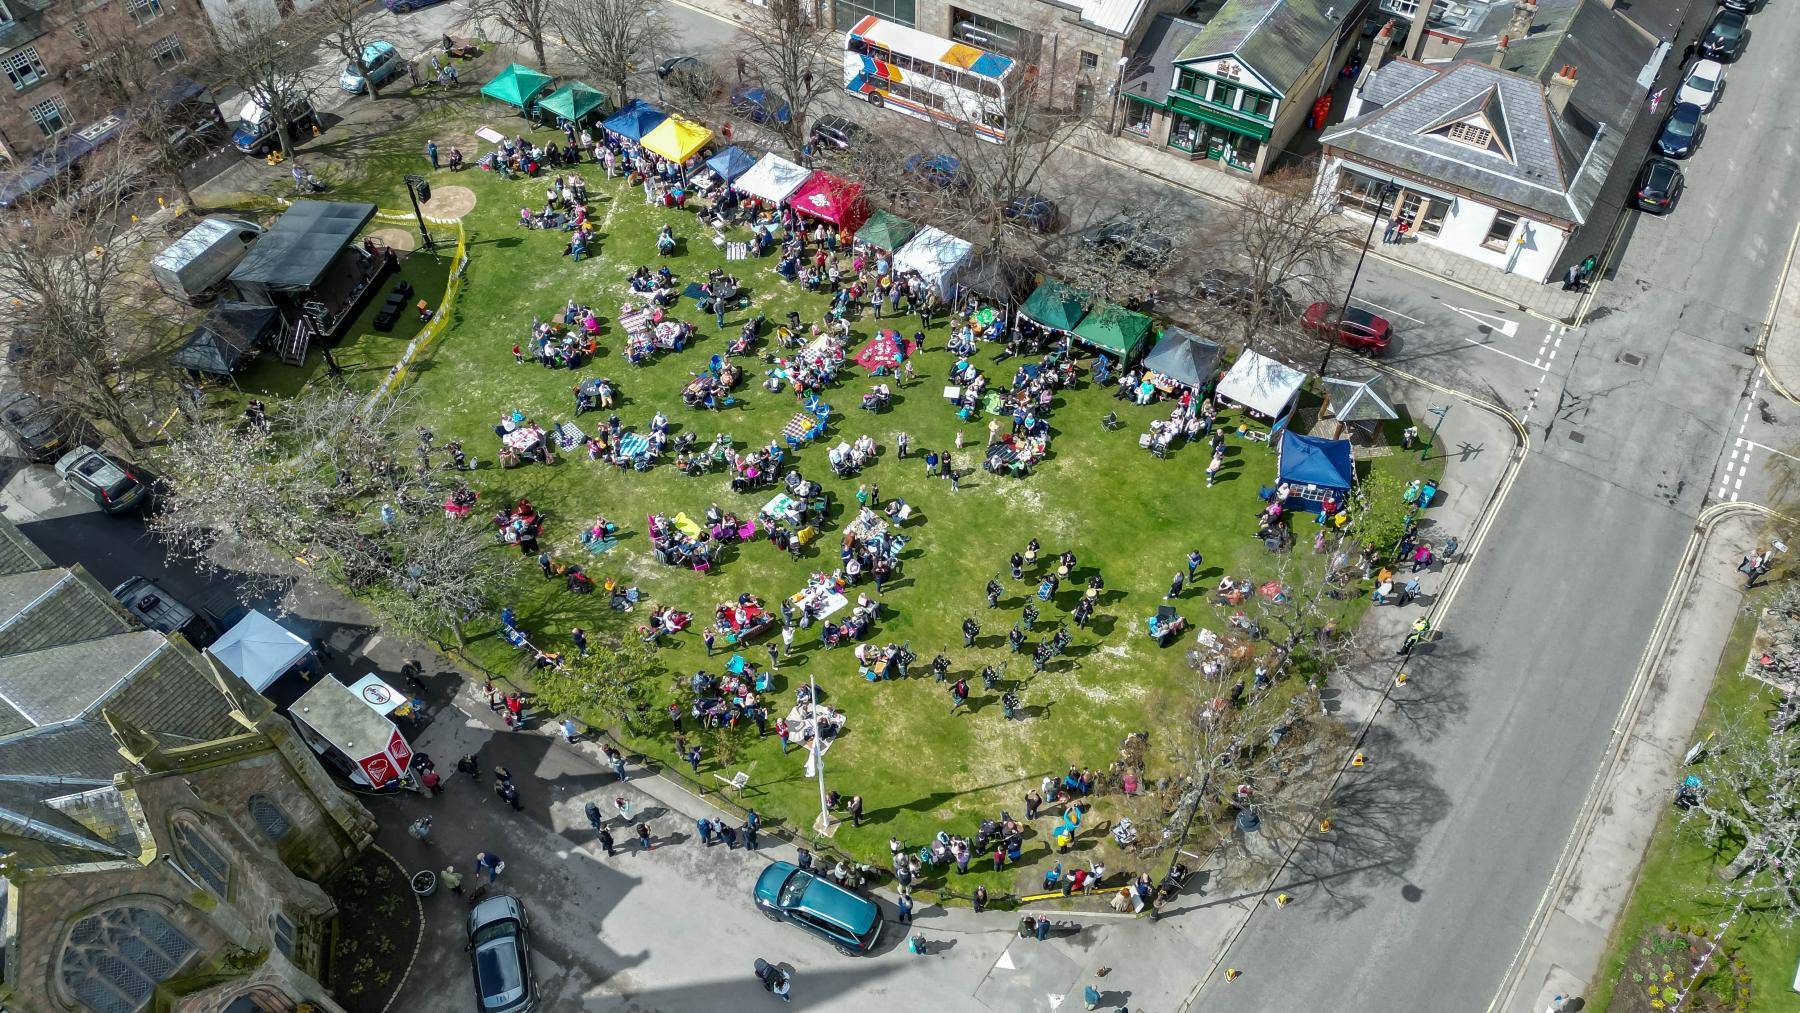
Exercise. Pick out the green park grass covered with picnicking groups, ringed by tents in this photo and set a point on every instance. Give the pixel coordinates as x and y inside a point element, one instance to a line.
<point>919,769</point>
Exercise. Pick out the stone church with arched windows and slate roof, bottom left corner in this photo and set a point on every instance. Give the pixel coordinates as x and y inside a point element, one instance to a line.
<point>163,830</point>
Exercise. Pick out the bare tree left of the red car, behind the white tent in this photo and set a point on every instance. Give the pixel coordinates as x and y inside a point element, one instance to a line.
<point>1291,242</point>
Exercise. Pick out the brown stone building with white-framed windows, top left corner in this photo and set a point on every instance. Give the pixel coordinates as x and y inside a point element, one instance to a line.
<point>53,100</point>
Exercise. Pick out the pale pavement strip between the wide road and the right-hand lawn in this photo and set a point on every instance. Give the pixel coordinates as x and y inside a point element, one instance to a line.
<point>1651,737</point>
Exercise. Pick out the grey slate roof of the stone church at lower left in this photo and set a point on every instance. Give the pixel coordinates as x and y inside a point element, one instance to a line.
<point>67,654</point>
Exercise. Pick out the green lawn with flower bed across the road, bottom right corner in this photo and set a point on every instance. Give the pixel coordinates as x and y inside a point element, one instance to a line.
<point>1677,884</point>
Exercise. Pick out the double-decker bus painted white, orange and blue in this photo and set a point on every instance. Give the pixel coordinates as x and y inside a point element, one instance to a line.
<point>928,76</point>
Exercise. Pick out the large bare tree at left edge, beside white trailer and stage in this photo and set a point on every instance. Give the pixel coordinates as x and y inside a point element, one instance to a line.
<point>91,321</point>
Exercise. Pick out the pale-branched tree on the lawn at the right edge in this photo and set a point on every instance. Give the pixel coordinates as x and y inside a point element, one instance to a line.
<point>1750,800</point>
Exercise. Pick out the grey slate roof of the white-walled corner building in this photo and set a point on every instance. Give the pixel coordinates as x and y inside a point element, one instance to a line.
<point>1560,161</point>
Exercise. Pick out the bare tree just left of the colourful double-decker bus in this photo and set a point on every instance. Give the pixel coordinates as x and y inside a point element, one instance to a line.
<point>796,58</point>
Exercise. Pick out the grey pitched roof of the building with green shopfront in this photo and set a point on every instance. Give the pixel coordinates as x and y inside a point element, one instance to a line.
<point>1275,39</point>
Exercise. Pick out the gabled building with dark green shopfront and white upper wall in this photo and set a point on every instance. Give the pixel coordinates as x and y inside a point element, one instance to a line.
<point>1234,82</point>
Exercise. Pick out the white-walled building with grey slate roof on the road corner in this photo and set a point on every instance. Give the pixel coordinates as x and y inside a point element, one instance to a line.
<point>1500,150</point>
